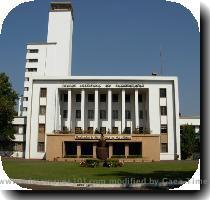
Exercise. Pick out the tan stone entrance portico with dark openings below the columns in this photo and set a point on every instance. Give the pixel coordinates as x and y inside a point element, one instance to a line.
<point>137,147</point>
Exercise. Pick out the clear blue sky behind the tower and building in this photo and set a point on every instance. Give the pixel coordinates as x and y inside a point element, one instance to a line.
<point>114,37</point>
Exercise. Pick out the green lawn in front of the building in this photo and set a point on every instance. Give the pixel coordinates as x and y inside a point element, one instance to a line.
<point>72,172</point>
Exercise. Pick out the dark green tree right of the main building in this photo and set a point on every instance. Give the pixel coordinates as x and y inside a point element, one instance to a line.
<point>188,141</point>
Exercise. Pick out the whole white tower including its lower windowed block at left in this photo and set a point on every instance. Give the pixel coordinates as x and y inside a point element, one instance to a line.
<point>52,58</point>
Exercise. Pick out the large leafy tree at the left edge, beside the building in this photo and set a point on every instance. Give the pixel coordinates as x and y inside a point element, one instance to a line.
<point>8,98</point>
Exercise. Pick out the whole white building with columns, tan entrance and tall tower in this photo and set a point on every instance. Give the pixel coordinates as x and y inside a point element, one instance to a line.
<point>139,115</point>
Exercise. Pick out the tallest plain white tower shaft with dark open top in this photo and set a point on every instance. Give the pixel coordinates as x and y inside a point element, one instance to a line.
<point>60,31</point>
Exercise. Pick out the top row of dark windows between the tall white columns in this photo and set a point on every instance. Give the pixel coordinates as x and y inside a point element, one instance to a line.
<point>103,97</point>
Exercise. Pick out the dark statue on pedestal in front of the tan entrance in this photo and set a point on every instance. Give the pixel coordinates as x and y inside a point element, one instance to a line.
<point>102,151</point>
